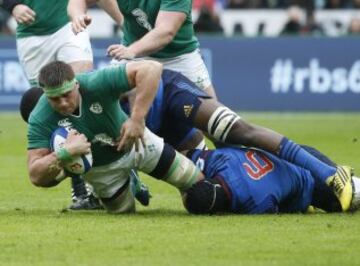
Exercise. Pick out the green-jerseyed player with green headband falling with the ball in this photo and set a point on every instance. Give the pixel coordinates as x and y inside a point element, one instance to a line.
<point>89,105</point>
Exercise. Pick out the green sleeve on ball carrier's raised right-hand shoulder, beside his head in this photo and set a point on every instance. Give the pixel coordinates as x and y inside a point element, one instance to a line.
<point>112,81</point>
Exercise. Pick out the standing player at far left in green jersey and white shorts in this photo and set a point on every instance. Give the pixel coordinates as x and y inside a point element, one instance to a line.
<point>43,35</point>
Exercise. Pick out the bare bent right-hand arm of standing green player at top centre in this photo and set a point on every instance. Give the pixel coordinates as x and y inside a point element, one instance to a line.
<point>166,26</point>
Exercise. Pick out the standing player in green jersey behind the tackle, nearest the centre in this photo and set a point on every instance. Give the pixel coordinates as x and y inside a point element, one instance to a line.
<point>161,30</point>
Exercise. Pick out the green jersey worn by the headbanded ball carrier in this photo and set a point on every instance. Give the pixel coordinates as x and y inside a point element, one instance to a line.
<point>100,115</point>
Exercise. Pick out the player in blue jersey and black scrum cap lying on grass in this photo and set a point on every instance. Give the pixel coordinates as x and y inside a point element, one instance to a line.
<point>249,181</point>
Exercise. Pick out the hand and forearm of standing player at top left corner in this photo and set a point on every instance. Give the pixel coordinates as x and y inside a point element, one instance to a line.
<point>22,13</point>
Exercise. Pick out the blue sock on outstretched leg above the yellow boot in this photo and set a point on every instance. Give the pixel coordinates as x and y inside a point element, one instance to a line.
<point>293,153</point>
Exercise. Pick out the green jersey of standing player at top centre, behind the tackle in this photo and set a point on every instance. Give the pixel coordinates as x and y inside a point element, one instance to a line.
<point>140,16</point>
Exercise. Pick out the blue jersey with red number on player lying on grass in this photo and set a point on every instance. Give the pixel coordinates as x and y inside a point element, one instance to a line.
<point>258,182</point>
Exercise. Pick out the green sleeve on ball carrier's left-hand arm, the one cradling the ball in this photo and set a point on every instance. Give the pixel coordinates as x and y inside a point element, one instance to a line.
<point>38,136</point>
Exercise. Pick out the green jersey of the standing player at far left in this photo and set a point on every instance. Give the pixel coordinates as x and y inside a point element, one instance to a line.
<point>51,15</point>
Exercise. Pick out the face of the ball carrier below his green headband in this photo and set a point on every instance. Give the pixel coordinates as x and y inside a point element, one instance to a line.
<point>66,103</point>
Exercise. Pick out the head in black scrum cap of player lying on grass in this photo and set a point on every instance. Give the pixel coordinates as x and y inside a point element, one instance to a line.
<point>207,197</point>
